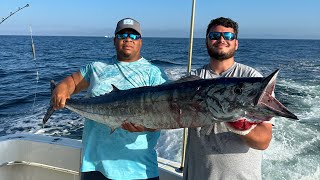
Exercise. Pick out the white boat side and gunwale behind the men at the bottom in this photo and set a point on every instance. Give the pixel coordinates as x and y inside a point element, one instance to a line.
<point>35,157</point>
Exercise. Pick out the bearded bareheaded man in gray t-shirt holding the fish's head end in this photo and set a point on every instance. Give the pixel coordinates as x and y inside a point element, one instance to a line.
<point>225,150</point>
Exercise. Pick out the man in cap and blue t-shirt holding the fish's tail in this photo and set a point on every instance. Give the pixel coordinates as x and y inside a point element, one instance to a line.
<point>128,152</point>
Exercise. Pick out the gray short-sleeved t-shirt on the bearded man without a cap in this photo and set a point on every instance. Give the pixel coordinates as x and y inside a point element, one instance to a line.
<point>215,153</point>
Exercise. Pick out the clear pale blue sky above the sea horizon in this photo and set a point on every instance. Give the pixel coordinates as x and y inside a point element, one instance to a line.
<point>293,19</point>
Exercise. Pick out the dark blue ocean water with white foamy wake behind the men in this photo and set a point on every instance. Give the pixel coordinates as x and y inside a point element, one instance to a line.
<point>294,152</point>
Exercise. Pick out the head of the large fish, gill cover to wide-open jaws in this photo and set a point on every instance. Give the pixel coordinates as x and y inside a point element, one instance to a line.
<point>245,97</point>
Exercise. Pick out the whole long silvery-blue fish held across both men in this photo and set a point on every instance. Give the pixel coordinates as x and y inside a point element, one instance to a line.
<point>189,102</point>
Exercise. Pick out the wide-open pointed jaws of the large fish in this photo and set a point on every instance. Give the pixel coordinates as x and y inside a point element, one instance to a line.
<point>267,101</point>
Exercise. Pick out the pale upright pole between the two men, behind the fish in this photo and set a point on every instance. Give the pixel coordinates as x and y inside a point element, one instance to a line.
<point>183,154</point>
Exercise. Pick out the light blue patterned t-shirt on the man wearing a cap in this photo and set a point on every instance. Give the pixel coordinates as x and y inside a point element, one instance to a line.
<point>121,154</point>
